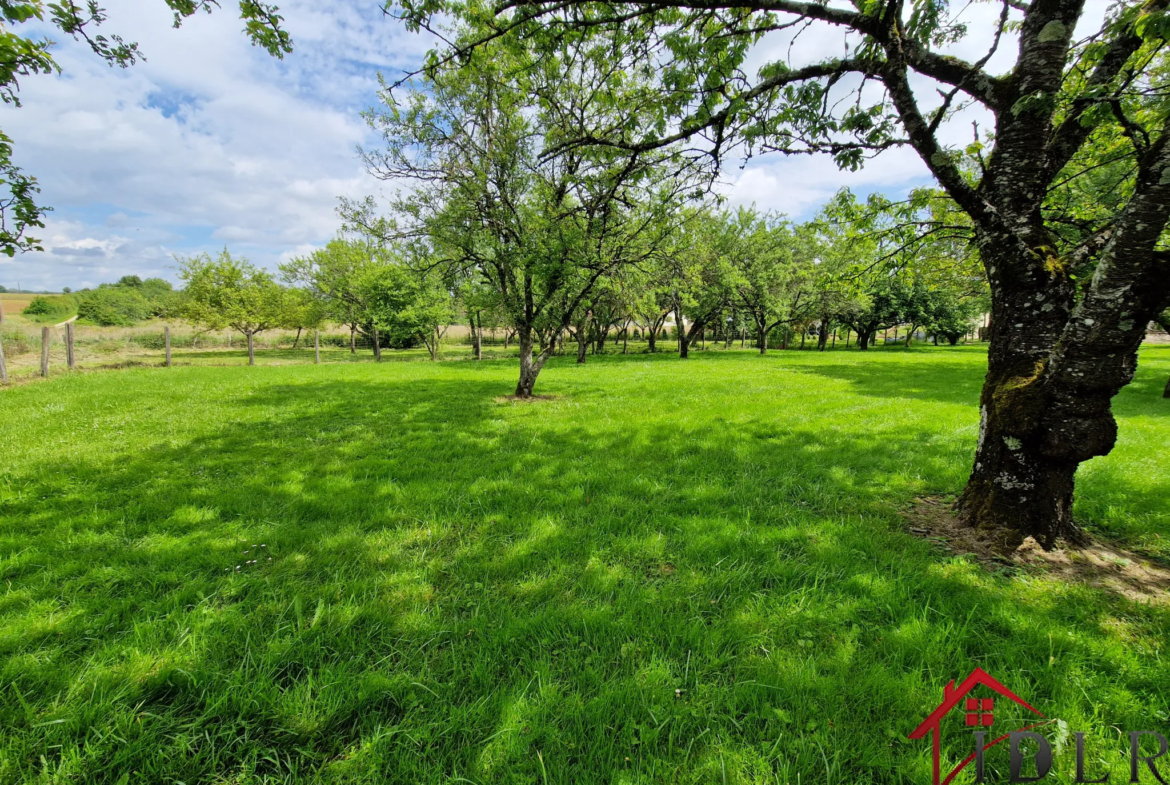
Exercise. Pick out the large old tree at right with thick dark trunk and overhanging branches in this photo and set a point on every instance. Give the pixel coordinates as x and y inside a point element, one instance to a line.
<point>1063,343</point>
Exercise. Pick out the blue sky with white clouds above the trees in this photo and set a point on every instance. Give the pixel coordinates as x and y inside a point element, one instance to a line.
<point>212,143</point>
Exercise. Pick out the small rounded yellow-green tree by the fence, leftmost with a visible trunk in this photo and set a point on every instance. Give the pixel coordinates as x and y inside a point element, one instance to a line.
<point>226,292</point>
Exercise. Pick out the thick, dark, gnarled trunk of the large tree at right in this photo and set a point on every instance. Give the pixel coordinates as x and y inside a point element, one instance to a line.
<point>1052,373</point>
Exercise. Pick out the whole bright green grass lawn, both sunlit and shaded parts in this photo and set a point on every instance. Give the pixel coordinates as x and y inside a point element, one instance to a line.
<point>675,573</point>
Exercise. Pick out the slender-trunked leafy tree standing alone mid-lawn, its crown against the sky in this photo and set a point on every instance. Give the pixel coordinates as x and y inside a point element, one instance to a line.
<point>541,232</point>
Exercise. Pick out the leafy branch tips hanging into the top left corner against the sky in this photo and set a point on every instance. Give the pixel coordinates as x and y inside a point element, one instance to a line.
<point>24,56</point>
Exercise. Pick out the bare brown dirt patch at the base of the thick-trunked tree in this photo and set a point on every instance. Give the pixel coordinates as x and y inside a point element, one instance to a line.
<point>1095,562</point>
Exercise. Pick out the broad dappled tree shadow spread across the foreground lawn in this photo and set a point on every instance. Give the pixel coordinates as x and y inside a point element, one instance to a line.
<point>459,587</point>
